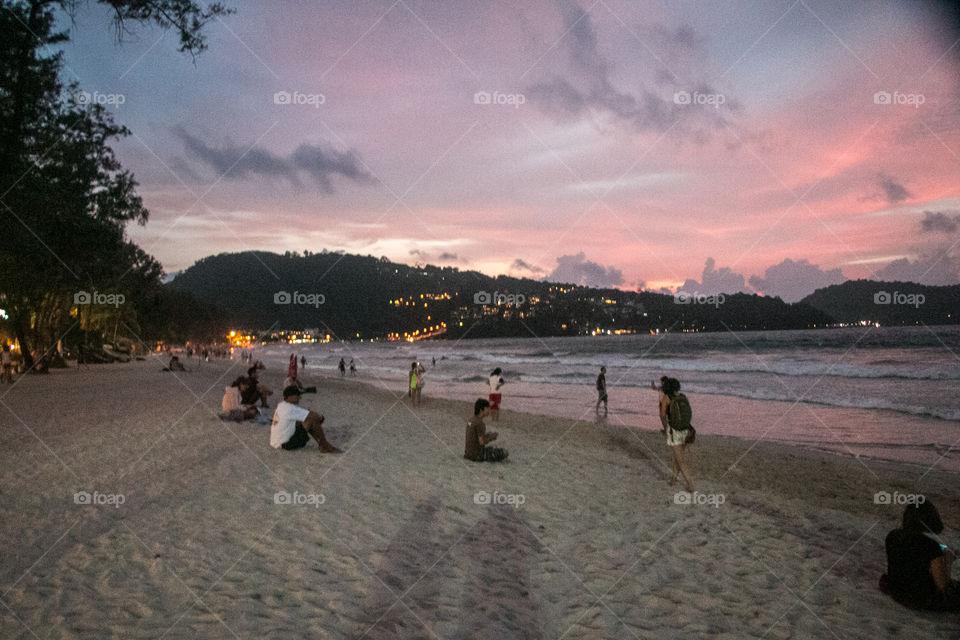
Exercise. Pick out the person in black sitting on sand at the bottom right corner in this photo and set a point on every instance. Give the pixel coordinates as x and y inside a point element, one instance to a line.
<point>918,564</point>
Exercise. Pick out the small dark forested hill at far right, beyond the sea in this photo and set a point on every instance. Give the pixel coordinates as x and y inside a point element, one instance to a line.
<point>889,303</point>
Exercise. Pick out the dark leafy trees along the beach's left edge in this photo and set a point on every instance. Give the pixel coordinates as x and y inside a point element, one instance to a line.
<point>67,271</point>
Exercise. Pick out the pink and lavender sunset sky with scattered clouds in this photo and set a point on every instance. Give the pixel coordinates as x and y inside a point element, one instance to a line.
<point>798,161</point>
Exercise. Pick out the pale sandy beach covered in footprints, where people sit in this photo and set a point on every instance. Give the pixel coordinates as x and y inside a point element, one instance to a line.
<point>578,535</point>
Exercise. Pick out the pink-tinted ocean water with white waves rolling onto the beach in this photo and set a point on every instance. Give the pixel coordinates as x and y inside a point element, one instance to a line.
<point>881,392</point>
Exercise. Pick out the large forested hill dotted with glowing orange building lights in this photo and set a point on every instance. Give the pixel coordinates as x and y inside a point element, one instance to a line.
<point>353,296</point>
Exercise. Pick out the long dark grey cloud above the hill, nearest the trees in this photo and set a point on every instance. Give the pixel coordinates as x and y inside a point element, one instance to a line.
<point>319,162</point>
